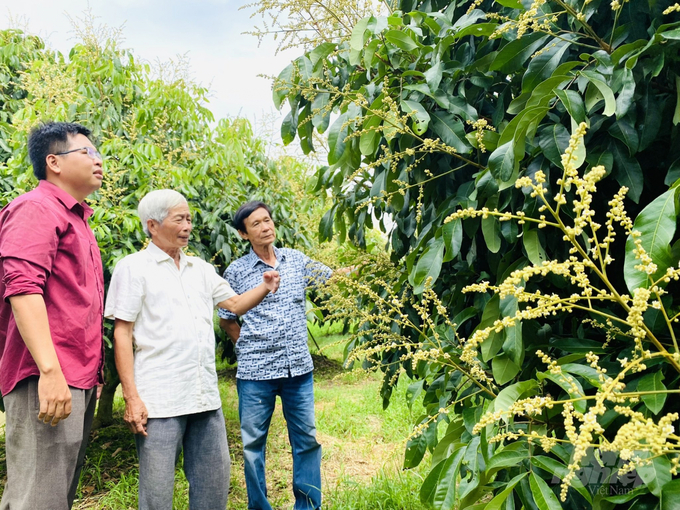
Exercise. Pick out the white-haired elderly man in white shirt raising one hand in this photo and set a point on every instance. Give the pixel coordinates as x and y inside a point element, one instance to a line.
<point>162,301</point>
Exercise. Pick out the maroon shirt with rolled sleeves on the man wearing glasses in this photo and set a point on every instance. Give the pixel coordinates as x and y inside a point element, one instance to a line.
<point>47,247</point>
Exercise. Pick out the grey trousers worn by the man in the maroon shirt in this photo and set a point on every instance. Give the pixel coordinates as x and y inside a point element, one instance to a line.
<point>44,462</point>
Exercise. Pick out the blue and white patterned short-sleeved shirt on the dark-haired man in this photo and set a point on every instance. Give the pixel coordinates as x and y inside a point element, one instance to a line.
<point>273,339</point>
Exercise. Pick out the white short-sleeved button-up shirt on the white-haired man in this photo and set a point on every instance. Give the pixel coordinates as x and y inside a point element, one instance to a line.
<point>174,339</point>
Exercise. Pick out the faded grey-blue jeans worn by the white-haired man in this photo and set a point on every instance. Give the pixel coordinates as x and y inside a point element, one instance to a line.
<point>203,437</point>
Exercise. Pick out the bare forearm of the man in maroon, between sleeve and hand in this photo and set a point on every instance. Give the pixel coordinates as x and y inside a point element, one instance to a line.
<point>30,314</point>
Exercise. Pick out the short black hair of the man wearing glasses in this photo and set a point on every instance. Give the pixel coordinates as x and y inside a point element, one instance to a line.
<point>49,138</point>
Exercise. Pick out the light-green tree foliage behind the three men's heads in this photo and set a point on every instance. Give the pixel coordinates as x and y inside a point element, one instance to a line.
<point>153,133</point>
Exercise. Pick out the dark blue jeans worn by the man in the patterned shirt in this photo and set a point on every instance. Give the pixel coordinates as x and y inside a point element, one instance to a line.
<point>256,401</point>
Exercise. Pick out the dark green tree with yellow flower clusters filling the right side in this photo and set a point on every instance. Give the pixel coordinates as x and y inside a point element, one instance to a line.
<point>491,142</point>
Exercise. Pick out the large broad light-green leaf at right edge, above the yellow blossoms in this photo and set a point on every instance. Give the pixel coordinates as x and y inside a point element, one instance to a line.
<point>656,224</point>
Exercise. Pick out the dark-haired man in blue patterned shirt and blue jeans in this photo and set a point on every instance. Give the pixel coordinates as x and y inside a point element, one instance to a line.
<point>273,358</point>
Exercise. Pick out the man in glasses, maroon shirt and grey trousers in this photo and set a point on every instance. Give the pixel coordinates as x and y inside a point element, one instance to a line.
<point>52,287</point>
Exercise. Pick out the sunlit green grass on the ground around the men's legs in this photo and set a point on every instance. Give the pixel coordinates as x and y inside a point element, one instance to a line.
<point>362,444</point>
